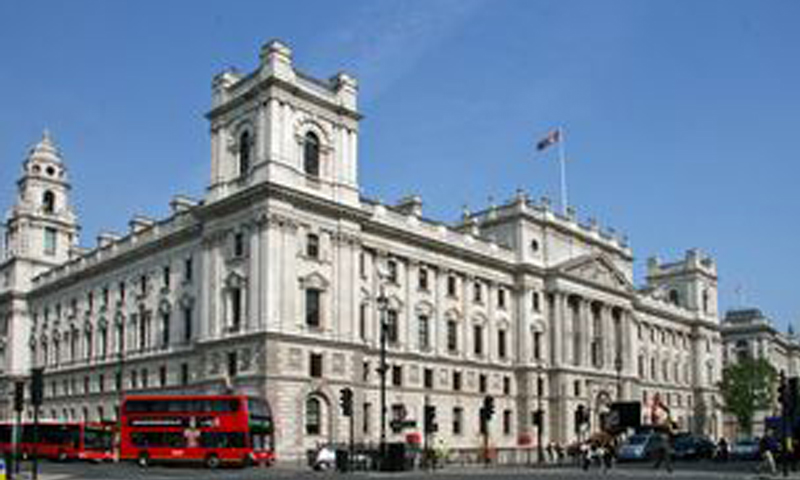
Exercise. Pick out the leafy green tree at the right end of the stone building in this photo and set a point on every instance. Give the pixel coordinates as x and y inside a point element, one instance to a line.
<point>747,386</point>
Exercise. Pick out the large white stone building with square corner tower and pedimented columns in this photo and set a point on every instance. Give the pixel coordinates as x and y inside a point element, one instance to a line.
<point>270,286</point>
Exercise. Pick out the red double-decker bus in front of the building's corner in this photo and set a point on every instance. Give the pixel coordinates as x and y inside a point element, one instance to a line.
<point>212,429</point>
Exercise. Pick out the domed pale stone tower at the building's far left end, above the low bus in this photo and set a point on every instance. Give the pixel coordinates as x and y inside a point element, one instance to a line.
<point>41,232</point>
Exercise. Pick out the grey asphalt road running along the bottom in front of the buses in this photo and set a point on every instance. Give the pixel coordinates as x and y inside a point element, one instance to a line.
<point>125,471</point>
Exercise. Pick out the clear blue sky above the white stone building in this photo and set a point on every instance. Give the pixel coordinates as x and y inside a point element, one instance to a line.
<point>681,116</point>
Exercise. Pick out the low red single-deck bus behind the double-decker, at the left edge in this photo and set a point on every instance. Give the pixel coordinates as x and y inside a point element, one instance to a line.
<point>60,441</point>
